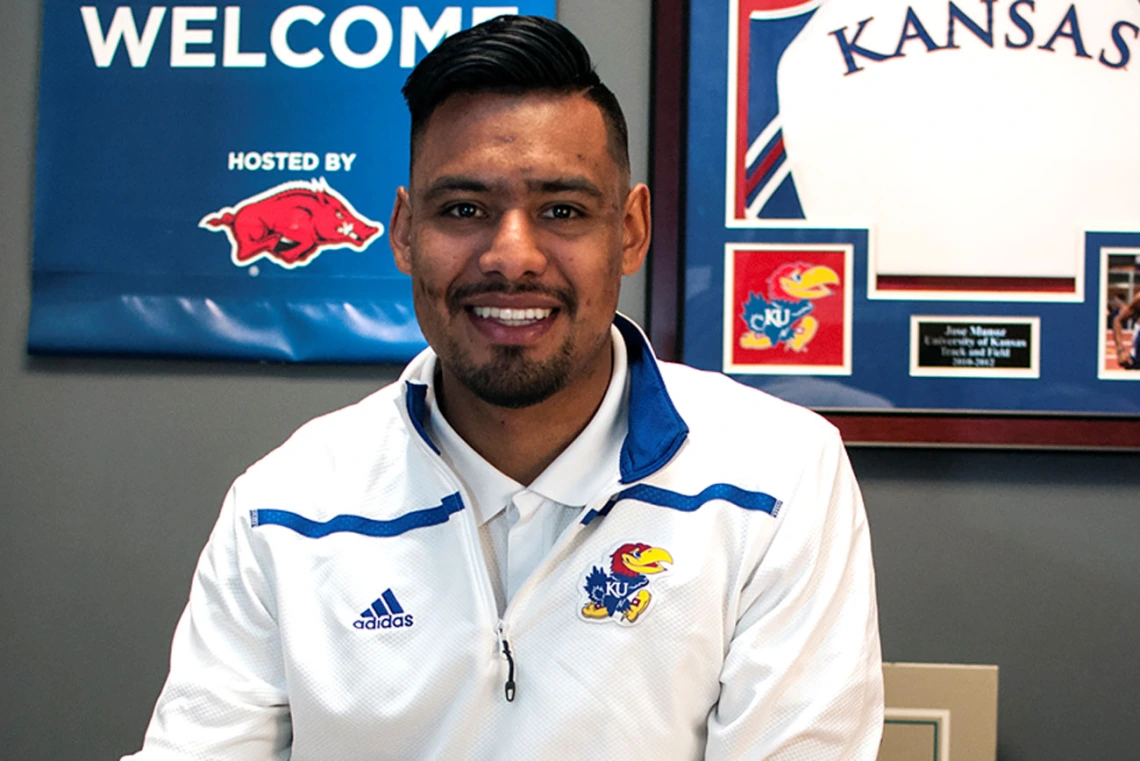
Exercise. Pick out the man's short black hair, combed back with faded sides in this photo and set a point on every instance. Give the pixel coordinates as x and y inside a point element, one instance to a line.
<point>512,55</point>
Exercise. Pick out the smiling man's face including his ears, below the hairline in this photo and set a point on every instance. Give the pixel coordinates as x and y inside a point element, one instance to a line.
<point>517,230</point>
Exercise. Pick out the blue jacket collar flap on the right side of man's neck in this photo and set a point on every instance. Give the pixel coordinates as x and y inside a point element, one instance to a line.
<point>657,431</point>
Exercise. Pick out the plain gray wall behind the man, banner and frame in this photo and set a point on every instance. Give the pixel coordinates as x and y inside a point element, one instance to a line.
<point>112,472</point>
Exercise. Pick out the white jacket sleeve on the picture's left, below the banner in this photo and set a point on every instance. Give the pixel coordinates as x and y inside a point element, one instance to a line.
<point>225,699</point>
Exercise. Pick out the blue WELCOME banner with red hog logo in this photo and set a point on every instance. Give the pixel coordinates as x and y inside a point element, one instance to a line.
<point>216,181</point>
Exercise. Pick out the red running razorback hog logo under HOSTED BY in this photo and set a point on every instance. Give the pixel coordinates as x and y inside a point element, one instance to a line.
<point>292,224</point>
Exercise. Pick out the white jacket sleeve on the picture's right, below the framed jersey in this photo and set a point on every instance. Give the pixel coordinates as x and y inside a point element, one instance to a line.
<point>803,674</point>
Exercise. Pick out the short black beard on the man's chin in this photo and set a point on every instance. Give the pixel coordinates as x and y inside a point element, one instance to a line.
<point>512,381</point>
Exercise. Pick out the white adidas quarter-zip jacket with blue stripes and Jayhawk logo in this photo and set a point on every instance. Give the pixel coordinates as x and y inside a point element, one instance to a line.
<point>716,603</point>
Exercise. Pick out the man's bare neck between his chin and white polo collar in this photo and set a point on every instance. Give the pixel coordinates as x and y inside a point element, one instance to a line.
<point>523,443</point>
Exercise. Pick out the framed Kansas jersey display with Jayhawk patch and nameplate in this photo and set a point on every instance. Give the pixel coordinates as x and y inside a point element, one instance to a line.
<point>915,217</point>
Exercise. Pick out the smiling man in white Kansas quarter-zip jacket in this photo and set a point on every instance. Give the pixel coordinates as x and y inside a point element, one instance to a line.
<point>540,543</point>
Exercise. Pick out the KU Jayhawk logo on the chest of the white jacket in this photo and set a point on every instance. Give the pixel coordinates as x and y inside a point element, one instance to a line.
<point>621,594</point>
